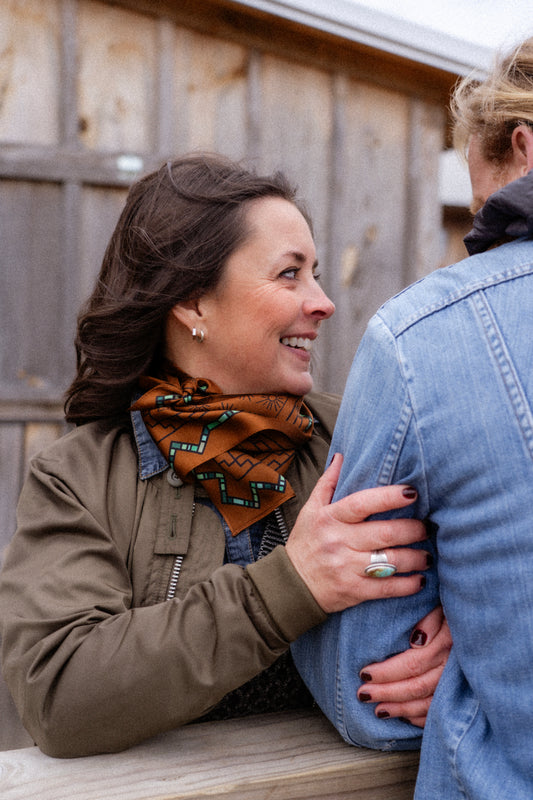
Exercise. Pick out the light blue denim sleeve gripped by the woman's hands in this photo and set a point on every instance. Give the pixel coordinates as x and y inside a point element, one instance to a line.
<point>377,434</point>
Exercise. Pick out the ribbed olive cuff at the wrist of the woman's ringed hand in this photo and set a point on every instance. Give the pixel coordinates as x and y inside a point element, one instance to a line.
<point>287,600</point>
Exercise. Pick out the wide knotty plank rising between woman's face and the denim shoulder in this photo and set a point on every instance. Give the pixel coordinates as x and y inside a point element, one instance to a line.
<point>368,211</point>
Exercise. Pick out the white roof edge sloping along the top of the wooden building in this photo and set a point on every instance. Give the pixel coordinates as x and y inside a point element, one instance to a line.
<point>382,31</point>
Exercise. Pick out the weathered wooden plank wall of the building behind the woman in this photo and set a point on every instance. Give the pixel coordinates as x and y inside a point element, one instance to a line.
<point>93,93</point>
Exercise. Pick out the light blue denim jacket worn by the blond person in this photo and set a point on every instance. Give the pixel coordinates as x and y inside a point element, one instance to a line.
<point>440,397</point>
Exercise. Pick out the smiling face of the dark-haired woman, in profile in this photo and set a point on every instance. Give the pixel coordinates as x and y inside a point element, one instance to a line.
<point>263,317</point>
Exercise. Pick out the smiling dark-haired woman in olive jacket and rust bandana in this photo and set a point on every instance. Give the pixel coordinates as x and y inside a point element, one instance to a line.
<point>149,583</point>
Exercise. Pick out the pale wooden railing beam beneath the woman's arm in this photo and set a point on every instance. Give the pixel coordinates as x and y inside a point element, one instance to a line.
<point>270,757</point>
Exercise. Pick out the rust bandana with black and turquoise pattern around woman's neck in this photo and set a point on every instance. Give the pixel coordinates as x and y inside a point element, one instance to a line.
<point>237,446</point>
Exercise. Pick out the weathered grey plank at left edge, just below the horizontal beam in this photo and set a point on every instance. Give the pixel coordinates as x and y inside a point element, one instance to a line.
<point>31,286</point>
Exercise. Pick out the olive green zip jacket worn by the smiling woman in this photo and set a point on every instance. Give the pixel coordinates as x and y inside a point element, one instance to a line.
<point>95,656</point>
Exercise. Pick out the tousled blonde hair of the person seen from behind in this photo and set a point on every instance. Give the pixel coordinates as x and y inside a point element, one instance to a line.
<point>492,108</point>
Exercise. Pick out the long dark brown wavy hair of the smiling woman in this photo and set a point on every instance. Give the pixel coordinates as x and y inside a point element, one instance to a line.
<point>177,230</point>
